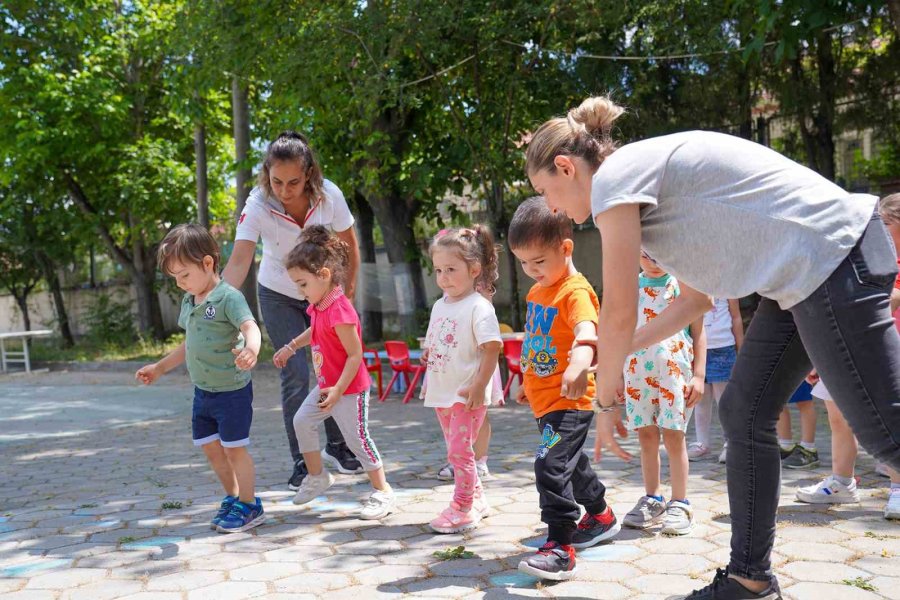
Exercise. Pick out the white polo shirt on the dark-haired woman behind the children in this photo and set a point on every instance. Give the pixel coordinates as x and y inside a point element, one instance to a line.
<point>264,216</point>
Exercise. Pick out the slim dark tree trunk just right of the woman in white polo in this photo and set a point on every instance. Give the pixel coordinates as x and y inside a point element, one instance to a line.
<point>368,291</point>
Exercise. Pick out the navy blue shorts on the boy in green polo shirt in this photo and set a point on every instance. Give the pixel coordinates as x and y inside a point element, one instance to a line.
<point>224,416</point>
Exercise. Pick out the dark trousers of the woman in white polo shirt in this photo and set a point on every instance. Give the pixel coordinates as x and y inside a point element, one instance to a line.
<point>285,319</point>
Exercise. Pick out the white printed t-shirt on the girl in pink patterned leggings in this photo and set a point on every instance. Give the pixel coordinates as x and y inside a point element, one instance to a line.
<point>455,332</point>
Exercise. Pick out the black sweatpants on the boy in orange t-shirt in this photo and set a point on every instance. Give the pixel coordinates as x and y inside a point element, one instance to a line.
<point>563,473</point>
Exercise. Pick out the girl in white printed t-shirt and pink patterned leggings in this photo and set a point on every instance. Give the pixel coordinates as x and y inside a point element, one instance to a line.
<point>462,346</point>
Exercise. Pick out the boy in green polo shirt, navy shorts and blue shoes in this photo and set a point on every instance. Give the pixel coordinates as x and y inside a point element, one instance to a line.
<point>220,347</point>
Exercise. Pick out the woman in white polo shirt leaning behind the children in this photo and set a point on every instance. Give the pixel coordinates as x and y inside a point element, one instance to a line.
<point>291,194</point>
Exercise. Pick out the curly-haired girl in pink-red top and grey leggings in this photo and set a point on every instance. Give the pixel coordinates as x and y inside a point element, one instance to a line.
<point>318,265</point>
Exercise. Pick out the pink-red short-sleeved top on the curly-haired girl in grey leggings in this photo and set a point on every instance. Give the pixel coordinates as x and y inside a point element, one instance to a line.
<point>328,353</point>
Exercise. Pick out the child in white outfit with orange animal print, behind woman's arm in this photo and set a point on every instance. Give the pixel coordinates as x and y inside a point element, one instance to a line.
<point>662,383</point>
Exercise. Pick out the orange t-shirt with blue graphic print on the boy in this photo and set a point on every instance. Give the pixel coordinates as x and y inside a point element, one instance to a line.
<point>553,312</point>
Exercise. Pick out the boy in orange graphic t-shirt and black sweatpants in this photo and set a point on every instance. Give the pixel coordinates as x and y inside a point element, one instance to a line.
<point>562,305</point>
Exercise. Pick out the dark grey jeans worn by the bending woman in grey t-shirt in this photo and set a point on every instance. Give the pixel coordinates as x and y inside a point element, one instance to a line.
<point>846,331</point>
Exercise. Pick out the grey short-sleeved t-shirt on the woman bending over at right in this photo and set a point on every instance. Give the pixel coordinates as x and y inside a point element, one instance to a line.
<point>730,217</point>
